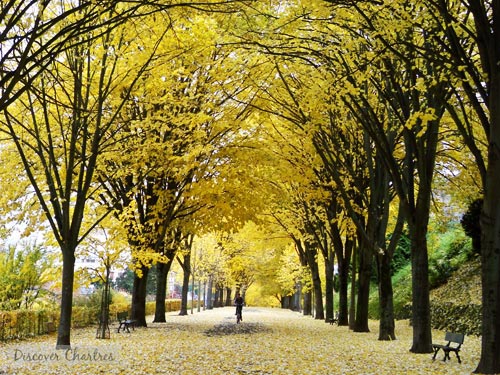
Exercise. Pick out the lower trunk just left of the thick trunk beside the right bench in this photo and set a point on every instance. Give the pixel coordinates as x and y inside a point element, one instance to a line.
<point>386,324</point>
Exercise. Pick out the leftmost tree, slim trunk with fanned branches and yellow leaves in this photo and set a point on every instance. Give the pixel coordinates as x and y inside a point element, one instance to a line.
<point>61,128</point>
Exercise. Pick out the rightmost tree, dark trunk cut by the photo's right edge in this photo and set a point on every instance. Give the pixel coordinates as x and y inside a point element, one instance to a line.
<point>469,33</point>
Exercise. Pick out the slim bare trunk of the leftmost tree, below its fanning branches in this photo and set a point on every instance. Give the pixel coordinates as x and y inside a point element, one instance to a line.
<point>68,276</point>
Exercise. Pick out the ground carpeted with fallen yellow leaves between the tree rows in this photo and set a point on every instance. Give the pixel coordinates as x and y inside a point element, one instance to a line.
<point>268,341</point>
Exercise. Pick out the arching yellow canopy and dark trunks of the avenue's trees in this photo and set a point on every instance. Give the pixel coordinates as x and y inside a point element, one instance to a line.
<point>333,123</point>
